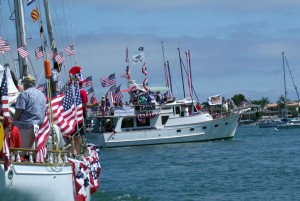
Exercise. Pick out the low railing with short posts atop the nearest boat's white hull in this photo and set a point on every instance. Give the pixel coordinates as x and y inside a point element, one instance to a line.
<point>25,155</point>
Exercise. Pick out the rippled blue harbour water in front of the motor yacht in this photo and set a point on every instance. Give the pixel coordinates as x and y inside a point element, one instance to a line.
<point>257,164</point>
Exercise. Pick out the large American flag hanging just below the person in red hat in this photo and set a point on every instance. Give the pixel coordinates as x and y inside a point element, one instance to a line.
<point>66,114</point>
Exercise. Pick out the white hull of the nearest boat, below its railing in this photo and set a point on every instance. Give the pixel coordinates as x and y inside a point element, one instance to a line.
<point>40,182</point>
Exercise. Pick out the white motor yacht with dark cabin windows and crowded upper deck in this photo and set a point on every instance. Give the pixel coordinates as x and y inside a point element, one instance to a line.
<point>153,123</point>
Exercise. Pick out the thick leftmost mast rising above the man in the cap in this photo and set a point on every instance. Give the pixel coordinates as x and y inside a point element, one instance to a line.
<point>21,36</point>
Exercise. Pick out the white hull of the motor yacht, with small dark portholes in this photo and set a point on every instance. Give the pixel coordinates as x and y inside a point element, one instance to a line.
<point>187,131</point>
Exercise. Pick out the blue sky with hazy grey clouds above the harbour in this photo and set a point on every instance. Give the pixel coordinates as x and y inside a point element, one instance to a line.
<point>235,46</point>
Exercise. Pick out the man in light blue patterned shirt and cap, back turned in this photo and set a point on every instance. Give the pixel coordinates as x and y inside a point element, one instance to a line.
<point>30,111</point>
